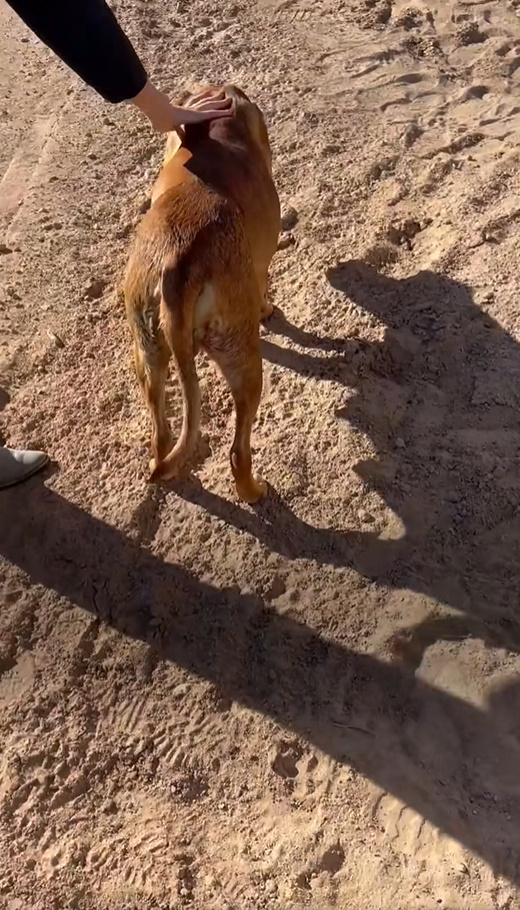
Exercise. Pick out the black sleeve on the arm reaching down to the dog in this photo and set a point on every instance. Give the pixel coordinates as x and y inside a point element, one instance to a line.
<point>86,35</point>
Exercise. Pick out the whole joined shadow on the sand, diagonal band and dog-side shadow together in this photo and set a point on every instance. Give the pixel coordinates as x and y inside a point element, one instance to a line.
<point>458,468</point>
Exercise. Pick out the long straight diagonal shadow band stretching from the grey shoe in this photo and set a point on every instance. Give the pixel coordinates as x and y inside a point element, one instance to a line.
<point>437,753</point>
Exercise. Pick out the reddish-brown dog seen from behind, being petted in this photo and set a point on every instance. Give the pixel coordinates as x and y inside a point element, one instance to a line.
<point>197,278</point>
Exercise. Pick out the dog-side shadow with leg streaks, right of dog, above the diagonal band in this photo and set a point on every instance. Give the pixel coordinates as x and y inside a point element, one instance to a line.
<point>440,399</point>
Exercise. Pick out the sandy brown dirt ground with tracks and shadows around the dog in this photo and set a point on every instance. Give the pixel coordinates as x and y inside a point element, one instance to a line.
<point>314,702</point>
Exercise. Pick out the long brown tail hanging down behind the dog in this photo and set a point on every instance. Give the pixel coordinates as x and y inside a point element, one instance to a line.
<point>178,299</point>
